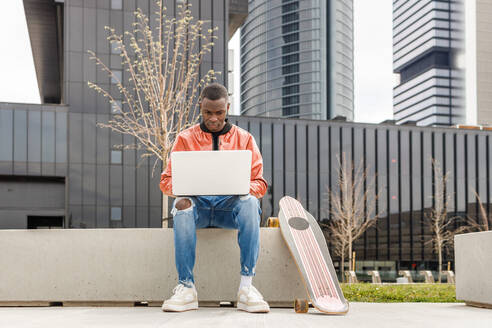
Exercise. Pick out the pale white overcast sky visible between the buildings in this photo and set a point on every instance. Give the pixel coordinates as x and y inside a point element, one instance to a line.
<point>373,77</point>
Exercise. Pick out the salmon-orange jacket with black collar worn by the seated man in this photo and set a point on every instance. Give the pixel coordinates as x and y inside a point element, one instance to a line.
<point>232,137</point>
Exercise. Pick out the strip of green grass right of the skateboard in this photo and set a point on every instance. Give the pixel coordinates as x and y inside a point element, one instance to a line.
<point>433,293</point>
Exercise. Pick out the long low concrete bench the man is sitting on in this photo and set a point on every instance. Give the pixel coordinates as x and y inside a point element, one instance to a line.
<point>135,265</point>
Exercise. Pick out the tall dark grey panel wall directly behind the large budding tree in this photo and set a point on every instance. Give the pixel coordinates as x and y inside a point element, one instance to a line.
<point>96,184</point>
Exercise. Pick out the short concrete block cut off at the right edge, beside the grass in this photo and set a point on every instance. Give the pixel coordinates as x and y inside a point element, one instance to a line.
<point>473,263</point>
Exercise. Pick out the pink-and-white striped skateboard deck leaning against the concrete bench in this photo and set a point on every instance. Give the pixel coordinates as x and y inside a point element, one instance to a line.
<point>307,245</point>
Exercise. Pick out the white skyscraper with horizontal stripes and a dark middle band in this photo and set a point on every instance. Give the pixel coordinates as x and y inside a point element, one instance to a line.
<point>427,42</point>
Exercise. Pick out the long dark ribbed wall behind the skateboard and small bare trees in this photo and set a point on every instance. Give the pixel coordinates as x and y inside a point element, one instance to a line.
<point>301,159</point>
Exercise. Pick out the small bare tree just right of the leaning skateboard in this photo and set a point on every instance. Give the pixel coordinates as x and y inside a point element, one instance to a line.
<point>353,208</point>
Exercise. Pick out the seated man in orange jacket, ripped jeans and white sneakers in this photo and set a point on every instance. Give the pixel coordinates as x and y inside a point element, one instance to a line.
<point>231,212</point>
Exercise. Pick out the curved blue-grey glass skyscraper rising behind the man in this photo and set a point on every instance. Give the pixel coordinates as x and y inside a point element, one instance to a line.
<point>297,59</point>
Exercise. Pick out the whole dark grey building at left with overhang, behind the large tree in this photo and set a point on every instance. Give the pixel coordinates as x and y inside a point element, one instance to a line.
<point>57,167</point>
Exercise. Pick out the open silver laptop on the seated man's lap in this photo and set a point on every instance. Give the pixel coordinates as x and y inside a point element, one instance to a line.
<point>224,172</point>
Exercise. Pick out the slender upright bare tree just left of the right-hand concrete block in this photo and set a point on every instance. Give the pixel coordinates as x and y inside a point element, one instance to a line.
<point>438,219</point>
